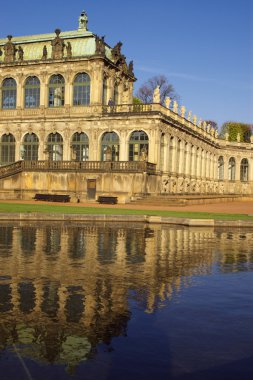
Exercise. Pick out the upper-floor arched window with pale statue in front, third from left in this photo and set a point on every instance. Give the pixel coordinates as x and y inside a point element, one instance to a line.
<point>56,91</point>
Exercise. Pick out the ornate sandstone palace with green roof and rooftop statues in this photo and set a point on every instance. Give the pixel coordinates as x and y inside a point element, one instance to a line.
<point>68,125</point>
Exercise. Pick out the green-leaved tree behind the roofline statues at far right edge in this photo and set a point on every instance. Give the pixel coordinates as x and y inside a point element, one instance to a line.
<point>233,128</point>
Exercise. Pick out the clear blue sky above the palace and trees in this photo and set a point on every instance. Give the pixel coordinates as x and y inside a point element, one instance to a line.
<point>204,47</point>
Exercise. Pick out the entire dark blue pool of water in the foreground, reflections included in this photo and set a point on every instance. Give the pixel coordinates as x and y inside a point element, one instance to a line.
<point>125,301</point>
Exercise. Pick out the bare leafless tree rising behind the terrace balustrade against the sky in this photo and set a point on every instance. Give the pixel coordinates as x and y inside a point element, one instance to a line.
<point>145,92</point>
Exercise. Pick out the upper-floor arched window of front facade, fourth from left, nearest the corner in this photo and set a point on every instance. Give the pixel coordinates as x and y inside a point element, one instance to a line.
<point>81,92</point>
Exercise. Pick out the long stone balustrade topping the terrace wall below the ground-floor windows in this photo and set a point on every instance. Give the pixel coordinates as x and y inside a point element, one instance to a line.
<point>84,166</point>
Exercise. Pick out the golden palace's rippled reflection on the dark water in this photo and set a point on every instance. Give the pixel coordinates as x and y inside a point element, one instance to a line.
<point>64,288</point>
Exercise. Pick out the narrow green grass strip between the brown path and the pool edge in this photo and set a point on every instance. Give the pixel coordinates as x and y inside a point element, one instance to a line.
<point>29,208</point>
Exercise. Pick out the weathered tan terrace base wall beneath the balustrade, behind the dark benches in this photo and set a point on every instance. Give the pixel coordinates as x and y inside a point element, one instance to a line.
<point>122,185</point>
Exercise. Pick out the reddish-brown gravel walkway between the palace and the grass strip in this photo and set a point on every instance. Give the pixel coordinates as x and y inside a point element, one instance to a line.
<point>238,207</point>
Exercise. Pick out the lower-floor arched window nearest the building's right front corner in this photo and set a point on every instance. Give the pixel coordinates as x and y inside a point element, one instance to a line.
<point>138,146</point>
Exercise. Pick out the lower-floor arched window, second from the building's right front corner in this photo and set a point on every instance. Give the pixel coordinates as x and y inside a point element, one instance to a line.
<point>110,147</point>
